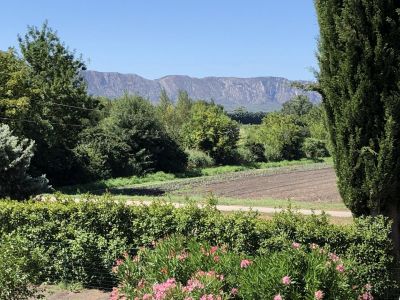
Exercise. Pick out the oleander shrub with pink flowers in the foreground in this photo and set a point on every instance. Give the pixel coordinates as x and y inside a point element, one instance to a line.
<point>302,272</point>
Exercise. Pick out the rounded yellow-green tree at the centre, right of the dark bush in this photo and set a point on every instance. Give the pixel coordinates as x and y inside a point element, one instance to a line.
<point>211,131</point>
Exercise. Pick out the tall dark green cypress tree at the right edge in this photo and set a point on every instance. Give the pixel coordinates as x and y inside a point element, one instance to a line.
<point>359,79</point>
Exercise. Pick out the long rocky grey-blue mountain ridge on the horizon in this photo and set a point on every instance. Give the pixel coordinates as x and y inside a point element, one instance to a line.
<point>256,94</point>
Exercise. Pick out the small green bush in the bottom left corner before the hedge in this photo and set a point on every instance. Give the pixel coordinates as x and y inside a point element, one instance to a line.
<point>20,266</point>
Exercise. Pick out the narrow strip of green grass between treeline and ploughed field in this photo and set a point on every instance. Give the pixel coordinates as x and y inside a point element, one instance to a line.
<point>164,177</point>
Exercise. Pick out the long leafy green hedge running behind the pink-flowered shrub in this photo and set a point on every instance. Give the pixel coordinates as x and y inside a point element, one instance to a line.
<point>81,241</point>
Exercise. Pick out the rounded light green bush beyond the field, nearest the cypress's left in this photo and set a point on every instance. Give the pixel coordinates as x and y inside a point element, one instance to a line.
<point>281,136</point>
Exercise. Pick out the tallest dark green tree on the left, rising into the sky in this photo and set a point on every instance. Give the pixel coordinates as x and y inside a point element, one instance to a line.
<point>59,109</point>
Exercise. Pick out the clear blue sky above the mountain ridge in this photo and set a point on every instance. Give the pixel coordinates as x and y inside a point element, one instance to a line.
<point>154,38</point>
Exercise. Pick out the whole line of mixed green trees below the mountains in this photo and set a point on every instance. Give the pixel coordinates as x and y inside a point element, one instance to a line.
<point>52,127</point>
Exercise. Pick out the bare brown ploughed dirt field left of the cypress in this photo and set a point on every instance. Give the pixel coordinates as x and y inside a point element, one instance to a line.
<point>308,185</point>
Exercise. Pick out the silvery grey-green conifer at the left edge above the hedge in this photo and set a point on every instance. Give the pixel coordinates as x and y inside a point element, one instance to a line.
<point>15,158</point>
